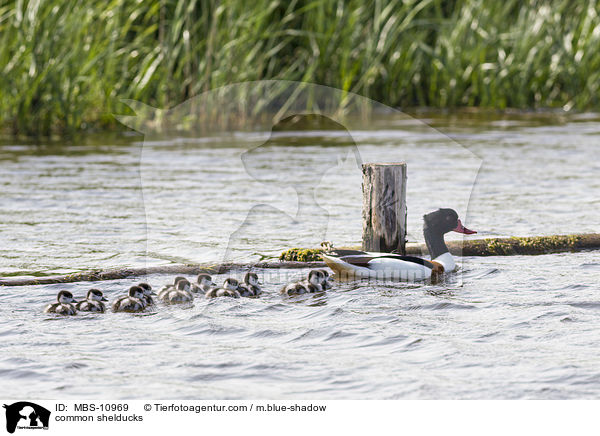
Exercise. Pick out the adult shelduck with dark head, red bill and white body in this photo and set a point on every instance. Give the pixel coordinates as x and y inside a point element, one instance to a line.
<point>389,266</point>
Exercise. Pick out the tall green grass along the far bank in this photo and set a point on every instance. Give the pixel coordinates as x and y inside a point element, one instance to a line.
<point>64,65</point>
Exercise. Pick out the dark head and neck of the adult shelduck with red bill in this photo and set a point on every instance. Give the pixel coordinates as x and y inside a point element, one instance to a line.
<point>436,225</point>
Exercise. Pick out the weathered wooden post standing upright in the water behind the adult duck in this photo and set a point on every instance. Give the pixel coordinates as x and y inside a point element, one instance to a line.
<point>384,207</point>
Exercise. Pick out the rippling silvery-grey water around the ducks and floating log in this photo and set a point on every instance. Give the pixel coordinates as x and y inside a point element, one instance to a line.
<point>504,327</point>
